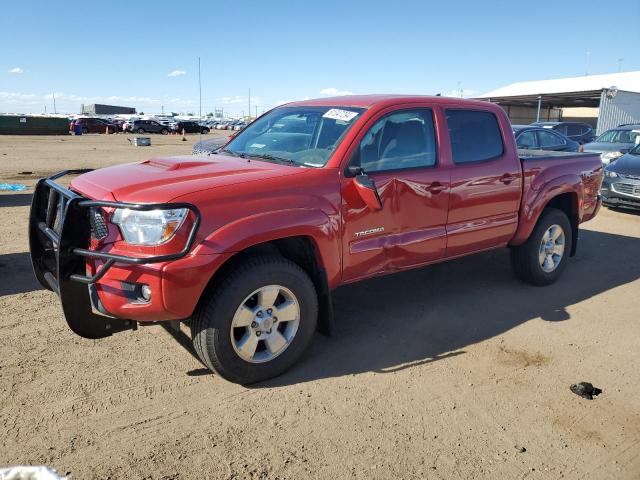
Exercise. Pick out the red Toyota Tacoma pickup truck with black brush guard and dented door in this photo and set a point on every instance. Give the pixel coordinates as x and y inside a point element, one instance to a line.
<point>247,244</point>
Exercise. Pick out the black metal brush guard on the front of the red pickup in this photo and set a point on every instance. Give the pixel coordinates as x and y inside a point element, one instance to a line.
<point>59,234</point>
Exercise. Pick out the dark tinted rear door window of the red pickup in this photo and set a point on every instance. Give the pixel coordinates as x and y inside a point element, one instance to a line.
<point>475,135</point>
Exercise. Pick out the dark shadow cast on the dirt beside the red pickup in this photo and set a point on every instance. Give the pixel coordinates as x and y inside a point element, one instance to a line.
<point>422,316</point>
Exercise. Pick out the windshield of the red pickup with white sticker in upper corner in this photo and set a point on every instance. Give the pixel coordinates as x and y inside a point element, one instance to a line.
<point>297,135</point>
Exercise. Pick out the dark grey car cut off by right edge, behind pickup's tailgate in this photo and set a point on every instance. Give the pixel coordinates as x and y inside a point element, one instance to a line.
<point>621,185</point>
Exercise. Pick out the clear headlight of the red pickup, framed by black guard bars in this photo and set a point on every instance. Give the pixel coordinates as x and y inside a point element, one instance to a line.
<point>151,227</point>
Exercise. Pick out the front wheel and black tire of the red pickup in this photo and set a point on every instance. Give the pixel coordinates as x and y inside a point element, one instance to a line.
<point>219,344</point>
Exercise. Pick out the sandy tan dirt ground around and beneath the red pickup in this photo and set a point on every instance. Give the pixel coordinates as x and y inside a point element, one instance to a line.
<point>452,371</point>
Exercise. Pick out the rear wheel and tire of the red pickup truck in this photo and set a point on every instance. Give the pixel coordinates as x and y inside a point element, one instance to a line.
<point>527,259</point>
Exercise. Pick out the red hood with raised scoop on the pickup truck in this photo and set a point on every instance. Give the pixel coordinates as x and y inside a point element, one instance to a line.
<point>164,179</point>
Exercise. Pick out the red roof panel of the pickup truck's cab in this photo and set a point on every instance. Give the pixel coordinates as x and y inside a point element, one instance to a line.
<point>383,99</point>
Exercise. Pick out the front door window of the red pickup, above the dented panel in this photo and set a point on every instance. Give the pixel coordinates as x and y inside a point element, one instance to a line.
<point>399,140</point>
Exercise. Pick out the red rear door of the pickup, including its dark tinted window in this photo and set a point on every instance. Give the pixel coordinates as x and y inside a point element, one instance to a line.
<point>486,182</point>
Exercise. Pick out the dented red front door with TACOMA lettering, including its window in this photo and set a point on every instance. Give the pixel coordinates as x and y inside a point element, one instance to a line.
<point>399,153</point>
